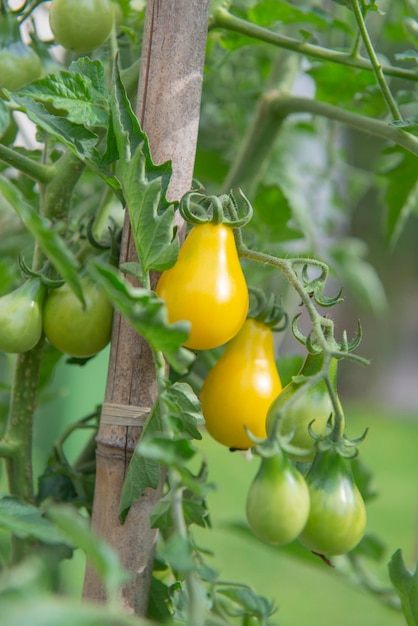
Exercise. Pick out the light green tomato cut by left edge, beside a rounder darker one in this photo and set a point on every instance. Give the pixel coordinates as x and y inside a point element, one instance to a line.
<point>21,317</point>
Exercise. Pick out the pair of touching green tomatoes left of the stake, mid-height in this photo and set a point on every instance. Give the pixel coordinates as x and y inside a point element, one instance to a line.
<point>77,330</point>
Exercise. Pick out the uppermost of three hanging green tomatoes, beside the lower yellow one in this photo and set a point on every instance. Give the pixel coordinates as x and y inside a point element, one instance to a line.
<point>313,406</point>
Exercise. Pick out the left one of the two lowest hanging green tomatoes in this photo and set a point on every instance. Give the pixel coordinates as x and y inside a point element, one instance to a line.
<point>277,504</point>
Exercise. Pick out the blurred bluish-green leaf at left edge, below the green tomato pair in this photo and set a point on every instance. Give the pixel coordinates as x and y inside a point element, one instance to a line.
<point>24,520</point>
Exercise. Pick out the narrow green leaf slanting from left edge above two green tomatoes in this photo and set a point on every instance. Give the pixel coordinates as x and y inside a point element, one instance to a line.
<point>48,239</point>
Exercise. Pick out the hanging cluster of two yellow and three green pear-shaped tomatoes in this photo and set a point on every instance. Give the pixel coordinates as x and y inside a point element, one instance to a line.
<point>243,402</point>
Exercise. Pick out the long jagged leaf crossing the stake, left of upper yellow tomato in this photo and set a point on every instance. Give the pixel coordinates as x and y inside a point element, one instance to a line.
<point>144,185</point>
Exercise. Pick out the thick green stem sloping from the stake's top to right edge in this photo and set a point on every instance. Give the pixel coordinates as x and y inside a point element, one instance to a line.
<point>223,19</point>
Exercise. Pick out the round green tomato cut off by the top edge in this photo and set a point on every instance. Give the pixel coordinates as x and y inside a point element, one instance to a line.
<point>81,25</point>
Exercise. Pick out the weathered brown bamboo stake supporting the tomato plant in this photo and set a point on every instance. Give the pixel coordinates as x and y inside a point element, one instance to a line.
<point>168,109</point>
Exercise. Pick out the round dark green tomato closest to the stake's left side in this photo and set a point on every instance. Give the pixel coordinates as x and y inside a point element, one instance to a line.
<point>76,330</point>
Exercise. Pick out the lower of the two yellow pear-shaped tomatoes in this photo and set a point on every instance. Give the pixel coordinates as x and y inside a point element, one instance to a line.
<point>239,389</point>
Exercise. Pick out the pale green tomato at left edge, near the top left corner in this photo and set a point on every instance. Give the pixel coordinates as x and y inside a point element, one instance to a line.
<point>19,64</point>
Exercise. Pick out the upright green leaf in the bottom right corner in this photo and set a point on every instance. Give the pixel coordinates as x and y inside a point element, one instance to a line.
<point>406,585</point>
